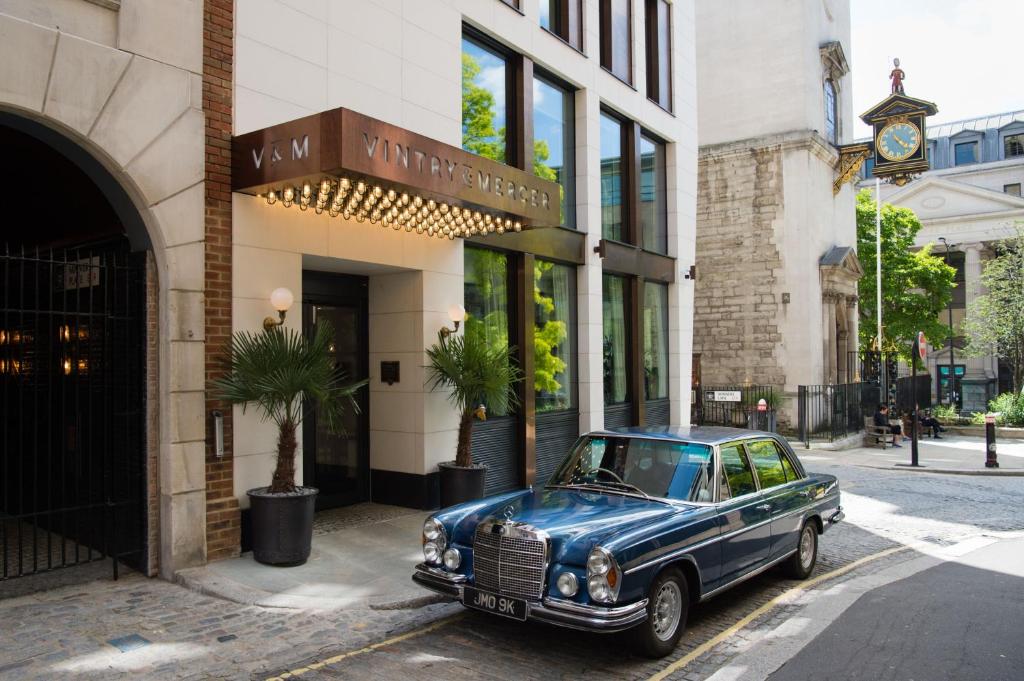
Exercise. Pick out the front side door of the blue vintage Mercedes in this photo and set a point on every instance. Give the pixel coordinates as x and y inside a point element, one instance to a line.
<point>744,517</point>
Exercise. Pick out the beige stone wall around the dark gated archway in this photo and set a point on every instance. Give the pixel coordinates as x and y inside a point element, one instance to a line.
<point>126,86</point>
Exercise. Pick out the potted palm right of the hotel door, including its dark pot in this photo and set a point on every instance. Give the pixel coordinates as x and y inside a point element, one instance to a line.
<point>476,373</point>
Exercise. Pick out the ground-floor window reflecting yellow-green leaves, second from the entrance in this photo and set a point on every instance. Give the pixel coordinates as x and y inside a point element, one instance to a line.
<point>554,336</point>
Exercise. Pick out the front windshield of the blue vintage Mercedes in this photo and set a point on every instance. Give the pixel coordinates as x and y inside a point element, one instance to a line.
<point>634,465</point>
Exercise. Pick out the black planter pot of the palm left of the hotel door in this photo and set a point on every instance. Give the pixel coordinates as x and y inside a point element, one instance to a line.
<point>282,526</point>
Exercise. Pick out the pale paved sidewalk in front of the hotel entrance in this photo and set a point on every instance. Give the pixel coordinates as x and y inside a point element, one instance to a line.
<point>362,556</point>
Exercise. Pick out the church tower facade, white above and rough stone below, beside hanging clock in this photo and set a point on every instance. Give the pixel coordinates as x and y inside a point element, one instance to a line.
<point>776,300</point>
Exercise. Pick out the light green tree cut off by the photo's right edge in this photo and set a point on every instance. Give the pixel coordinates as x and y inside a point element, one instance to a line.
<point>996,321</point>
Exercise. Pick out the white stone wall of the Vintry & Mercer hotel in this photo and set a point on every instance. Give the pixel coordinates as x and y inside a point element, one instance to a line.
<point>400,61</point>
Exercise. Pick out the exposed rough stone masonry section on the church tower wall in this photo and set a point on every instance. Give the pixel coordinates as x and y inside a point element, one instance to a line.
<point>737,301</point>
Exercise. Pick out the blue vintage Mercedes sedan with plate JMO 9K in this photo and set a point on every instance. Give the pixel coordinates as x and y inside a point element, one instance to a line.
<point>634,528</point>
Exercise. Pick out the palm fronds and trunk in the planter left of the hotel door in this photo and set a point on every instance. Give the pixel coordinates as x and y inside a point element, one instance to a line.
<point>278,371</point>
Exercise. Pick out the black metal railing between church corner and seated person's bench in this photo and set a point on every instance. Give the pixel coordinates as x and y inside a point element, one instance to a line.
<point>833,412</point>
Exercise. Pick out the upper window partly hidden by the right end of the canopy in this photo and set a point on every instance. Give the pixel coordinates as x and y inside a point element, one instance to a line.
<point>553,142</point>
